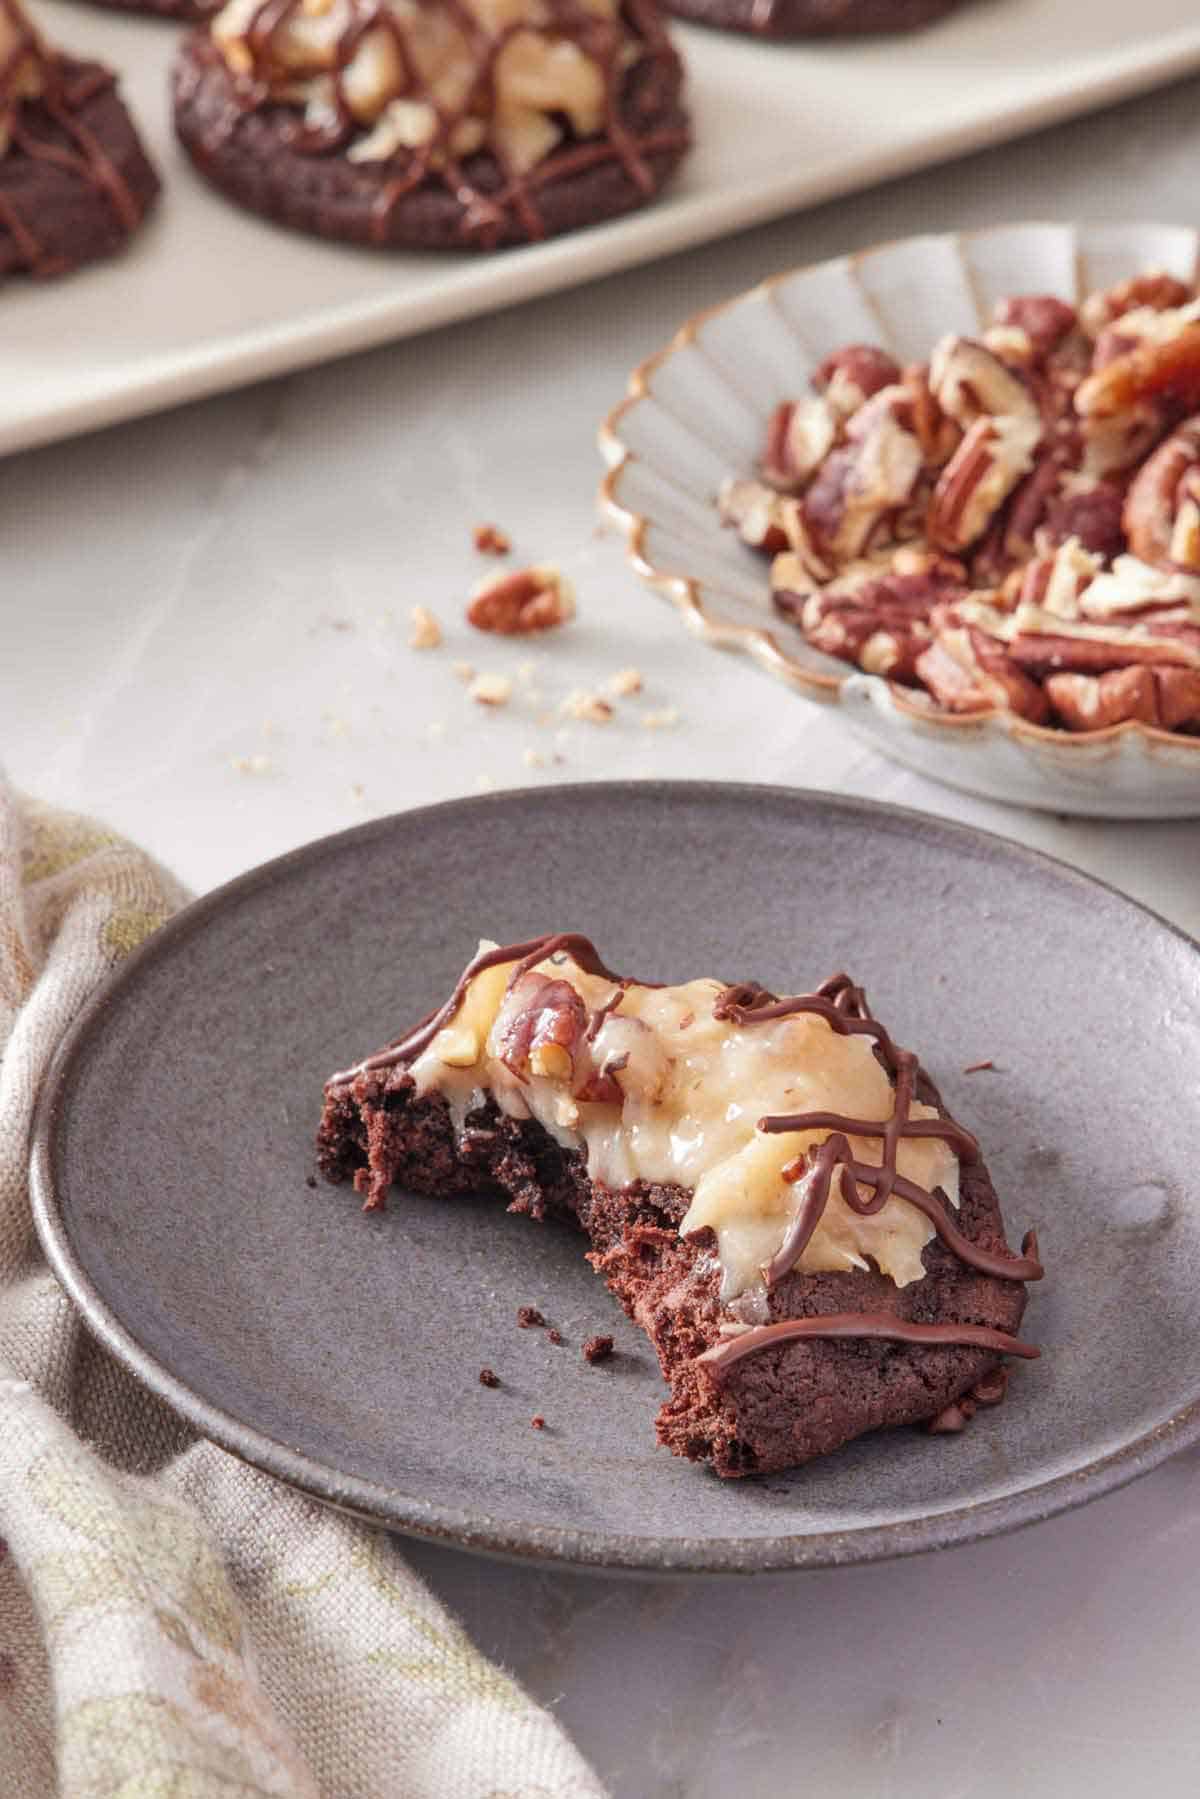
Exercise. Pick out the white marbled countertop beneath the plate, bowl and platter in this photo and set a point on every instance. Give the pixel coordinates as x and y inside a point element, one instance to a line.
<point>206,641</point>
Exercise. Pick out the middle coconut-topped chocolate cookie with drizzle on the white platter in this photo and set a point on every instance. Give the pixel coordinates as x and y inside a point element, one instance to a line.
<point>449,125</point>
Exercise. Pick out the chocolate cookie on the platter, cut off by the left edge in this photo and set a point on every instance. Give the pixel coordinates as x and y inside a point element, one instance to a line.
<point>75,179</point>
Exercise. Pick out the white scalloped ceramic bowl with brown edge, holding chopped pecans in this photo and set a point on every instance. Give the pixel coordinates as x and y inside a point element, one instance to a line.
<point>699,409</point>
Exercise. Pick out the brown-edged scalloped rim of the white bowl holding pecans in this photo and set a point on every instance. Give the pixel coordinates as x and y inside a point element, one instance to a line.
<point>701,611</point>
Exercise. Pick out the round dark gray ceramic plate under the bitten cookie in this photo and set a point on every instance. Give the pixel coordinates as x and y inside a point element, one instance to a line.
<point>343,1350</point>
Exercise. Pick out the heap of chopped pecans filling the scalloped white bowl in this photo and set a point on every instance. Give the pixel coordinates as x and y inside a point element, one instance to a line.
<point>1012,526</point>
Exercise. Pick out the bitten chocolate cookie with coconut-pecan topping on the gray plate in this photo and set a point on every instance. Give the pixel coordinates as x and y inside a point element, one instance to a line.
<point>769,1186</point>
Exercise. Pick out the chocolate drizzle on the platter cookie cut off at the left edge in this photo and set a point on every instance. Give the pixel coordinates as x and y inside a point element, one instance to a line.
<point>64,93</point>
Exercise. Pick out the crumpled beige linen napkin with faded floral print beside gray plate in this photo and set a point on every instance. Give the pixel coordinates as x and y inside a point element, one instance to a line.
<point>175,1625</point>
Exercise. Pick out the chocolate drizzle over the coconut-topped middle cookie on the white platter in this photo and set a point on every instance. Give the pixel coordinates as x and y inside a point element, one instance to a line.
<point>490,210</point>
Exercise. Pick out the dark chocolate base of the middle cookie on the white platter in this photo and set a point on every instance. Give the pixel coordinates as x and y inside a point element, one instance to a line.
<point>251,159</point>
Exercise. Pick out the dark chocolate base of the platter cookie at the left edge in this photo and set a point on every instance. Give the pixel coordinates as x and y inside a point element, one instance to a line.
<point>69,215</point>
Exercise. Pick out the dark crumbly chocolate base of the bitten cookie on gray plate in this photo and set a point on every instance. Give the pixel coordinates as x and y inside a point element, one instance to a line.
<point>778,1408</point>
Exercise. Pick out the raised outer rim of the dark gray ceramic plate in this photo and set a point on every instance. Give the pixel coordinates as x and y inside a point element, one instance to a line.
<point>451,1526</point>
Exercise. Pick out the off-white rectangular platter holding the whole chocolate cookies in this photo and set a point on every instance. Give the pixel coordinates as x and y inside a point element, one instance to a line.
<point>211,298</point>
